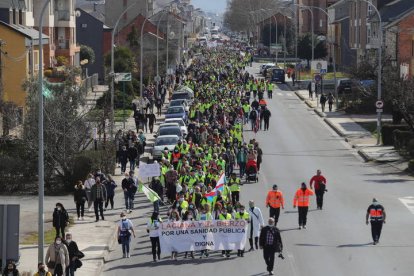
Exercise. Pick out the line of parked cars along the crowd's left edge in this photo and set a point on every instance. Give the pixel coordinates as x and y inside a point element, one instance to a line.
<point>174,127</point>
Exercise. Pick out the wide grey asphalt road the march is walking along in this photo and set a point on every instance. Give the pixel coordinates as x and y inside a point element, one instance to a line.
<point>337,241</point>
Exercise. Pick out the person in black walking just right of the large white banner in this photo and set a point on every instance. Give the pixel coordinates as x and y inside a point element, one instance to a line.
<point>270,242</point>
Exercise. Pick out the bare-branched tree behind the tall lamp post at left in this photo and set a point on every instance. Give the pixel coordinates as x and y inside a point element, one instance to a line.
<point>66,131</point>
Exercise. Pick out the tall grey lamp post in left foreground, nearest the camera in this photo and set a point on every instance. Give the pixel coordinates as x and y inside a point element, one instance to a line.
<point>41,169</point>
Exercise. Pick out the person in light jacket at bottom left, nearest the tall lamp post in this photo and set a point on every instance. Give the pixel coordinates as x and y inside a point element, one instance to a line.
<point>57,257</point>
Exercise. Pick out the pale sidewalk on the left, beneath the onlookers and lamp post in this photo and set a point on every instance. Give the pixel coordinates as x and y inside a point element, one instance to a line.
<point>94,239</point>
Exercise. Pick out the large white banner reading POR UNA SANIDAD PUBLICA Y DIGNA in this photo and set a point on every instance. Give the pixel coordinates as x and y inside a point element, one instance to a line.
<point>182,236</point>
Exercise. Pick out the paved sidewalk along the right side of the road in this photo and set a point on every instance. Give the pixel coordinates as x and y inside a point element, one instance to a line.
<point>346,125</point>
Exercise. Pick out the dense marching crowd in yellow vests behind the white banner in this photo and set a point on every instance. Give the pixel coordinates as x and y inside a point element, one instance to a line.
<point>198,179</point>
